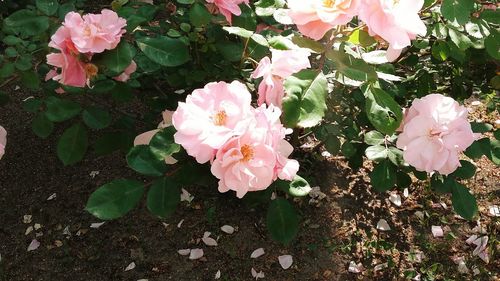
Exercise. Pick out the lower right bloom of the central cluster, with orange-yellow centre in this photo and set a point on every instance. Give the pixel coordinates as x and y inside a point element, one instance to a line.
<point>253,160</point>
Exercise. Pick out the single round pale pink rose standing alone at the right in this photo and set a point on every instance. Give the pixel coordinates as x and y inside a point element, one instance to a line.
<point>435,132</point>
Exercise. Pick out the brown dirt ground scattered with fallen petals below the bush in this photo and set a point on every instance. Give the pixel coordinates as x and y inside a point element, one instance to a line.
<point>337,230</point>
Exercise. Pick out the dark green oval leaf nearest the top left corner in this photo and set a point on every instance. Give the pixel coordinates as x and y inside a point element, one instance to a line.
<point>27,23</point>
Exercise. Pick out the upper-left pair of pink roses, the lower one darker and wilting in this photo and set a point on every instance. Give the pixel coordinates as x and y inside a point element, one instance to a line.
<point>77,40</point>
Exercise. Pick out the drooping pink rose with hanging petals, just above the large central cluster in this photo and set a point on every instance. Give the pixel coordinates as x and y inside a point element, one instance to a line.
<point>283,65</point>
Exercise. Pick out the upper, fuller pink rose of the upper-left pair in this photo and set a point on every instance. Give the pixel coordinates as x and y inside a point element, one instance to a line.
<point>95,33</point>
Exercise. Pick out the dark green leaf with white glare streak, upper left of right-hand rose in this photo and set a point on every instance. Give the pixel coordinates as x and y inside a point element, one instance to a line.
<point>383,111</point>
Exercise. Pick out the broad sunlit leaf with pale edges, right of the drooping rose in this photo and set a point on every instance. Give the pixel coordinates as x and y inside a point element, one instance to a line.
<point>304,105</point>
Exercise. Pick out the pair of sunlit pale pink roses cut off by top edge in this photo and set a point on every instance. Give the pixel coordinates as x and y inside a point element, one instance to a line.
<point>396,21</point>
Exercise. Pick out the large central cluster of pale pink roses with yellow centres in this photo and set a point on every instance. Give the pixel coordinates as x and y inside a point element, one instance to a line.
<point>246,145</point>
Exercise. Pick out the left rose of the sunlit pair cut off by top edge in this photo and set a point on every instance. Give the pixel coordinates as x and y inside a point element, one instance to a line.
<point>314,18</point>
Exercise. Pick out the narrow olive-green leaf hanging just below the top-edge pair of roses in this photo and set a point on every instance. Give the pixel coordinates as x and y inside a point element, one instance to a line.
<point>356,69</point>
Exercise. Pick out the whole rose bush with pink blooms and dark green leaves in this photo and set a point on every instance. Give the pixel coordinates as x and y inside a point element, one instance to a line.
<point>241,85</point>
